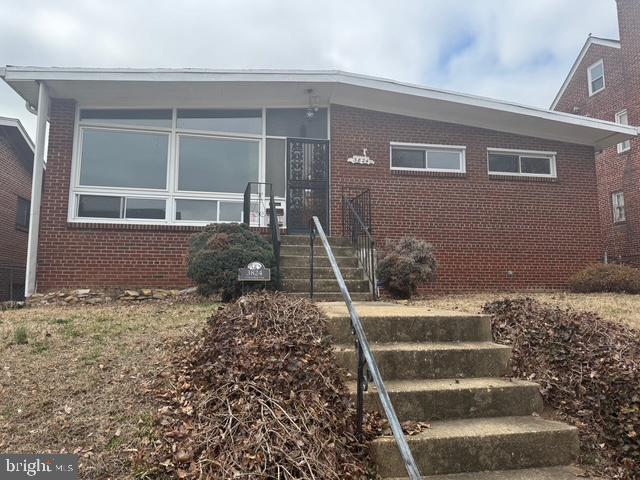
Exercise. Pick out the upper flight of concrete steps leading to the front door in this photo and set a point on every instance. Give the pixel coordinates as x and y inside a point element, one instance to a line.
<point>295,269</point>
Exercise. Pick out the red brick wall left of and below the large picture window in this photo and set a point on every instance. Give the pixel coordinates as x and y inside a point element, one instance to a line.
<point>98,255</point>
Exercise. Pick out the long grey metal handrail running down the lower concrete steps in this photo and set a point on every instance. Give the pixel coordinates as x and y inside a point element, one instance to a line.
<point>365,357</point>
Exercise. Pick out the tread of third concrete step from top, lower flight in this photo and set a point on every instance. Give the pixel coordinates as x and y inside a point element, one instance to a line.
<point>401,386</point>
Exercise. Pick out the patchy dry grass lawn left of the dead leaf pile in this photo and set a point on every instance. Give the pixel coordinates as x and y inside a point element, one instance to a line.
<point>80,383</point>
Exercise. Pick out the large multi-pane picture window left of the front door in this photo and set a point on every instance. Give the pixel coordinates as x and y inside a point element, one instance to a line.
<point>180,166</point>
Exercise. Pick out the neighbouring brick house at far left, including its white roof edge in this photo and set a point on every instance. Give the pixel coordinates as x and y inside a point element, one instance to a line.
<point>16,166</point>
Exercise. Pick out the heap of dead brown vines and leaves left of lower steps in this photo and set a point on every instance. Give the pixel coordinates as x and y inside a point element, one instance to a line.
<point>258,395</point>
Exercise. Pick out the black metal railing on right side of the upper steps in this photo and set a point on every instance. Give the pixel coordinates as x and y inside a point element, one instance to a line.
<point>357,225</point>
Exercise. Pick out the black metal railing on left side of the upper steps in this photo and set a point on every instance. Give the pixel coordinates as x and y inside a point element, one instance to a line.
<point>260,210</point>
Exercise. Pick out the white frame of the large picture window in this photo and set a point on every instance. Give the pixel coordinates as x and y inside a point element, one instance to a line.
<point>171,193</point>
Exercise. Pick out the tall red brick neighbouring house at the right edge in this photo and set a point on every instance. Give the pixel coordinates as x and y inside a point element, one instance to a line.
<point>604,83</point>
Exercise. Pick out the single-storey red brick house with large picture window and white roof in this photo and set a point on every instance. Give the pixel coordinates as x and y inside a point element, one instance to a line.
<point>138,160</point>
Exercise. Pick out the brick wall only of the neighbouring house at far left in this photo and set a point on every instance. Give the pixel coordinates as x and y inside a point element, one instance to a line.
<point>15,181</point>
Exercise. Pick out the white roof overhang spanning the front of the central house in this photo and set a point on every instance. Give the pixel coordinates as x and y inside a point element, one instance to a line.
<point>250,88</point>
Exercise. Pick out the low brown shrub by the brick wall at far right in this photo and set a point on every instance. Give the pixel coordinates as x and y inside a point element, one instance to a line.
<point>606,278</point>
